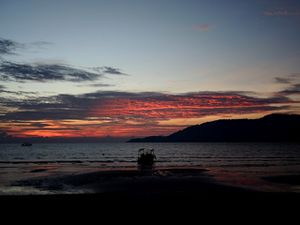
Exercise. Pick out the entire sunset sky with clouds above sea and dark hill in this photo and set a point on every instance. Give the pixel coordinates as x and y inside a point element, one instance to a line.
<point>132,68</point>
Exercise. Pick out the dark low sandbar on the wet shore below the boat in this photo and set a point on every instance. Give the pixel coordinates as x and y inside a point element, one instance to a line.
<point>131,182</point>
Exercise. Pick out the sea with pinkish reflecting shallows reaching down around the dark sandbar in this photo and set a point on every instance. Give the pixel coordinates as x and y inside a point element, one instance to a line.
<point>240,164</point>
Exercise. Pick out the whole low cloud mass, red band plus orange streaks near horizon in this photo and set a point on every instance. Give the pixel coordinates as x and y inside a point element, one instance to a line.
<point>110,111</point>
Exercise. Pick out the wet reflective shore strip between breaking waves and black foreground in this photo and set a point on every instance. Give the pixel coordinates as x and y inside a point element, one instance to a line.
<point>163,180</point>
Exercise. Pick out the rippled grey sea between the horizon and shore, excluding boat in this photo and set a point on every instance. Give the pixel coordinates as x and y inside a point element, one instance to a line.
<point>168,154</point>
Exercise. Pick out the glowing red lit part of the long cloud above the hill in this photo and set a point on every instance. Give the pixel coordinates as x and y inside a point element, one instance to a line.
<point>175,106</point>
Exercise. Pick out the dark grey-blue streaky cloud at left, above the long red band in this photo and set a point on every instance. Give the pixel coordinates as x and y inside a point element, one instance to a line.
<point>10,71</point>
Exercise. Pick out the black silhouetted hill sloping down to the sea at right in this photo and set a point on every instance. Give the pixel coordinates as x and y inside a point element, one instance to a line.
<point>270,128</point>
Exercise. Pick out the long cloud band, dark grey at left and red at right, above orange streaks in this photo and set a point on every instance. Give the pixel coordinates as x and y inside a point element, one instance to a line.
<point>144,105</point>
